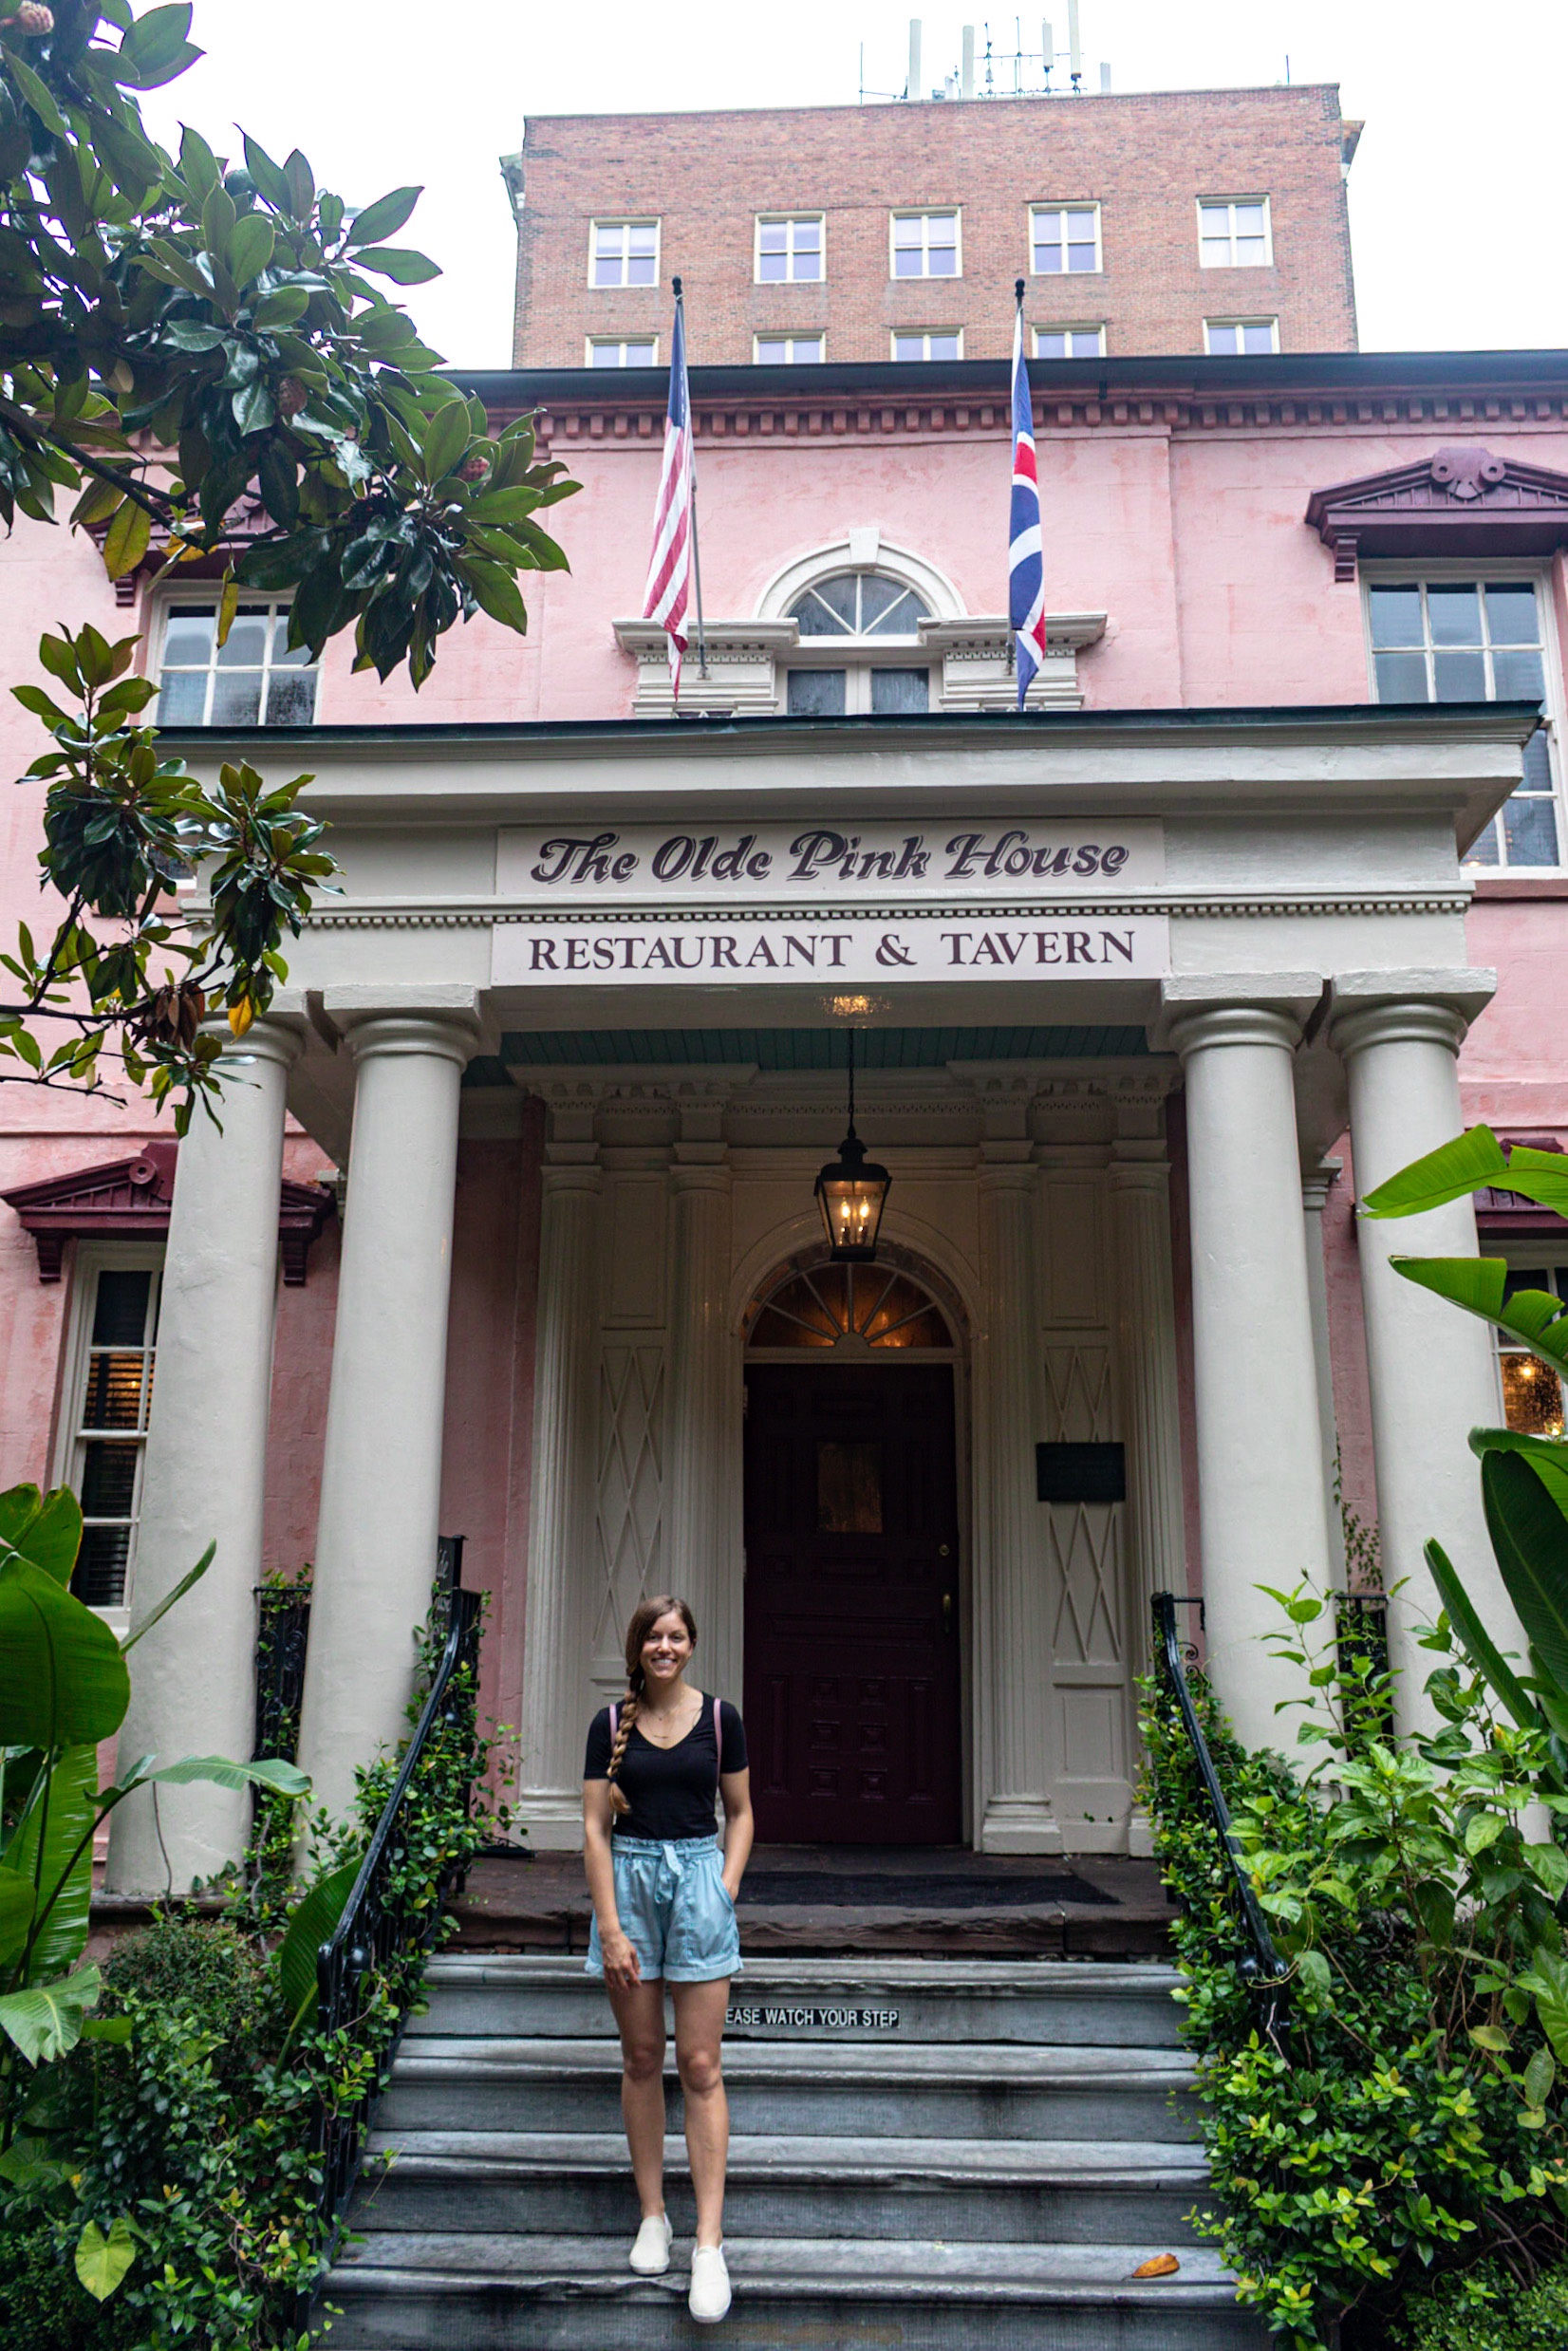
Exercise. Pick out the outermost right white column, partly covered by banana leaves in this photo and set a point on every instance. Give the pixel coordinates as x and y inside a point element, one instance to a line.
<point>1433,1369</point>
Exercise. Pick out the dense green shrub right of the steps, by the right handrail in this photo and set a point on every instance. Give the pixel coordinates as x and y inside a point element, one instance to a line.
<point>1407,2117</point>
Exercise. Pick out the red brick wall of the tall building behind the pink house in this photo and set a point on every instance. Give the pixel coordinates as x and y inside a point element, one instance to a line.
<point>1146,161</point>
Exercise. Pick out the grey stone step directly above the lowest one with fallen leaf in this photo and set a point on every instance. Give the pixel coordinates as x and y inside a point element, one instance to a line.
<point>1012,2192</point>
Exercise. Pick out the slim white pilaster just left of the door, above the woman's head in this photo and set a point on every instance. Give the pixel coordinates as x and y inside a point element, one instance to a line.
<point>699,1463</point>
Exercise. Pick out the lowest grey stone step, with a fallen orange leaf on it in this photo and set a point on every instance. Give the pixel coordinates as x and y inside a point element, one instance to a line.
<point>570,2293</point>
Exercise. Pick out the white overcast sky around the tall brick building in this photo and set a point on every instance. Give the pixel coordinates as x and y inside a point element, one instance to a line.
<point>1454,194</point>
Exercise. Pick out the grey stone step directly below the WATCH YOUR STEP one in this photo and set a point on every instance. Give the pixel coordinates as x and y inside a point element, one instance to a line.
<point>808,2089</point>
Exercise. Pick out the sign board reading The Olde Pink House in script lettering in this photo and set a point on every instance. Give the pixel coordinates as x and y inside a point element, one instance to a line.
<point>805,864</point>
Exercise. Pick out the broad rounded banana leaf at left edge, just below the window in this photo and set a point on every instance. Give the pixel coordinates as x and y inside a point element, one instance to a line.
<point>62,1675</point>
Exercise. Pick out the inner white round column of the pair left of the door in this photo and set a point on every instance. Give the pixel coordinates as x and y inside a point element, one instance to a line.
<point>382,1466</point>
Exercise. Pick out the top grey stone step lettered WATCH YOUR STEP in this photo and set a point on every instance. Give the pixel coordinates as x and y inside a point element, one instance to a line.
<point>826,2000</point>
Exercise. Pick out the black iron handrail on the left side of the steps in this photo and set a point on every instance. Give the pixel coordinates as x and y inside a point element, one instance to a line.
<point>375,1924</point>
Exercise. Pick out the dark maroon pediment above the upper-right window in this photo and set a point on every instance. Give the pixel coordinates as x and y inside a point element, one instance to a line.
<point>1459,502</point>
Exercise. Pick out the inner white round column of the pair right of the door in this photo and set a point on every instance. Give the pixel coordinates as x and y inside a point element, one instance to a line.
<point>1261,1456</point>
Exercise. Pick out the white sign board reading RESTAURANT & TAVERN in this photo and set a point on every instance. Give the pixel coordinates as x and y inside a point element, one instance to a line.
<point>843,951</point>
